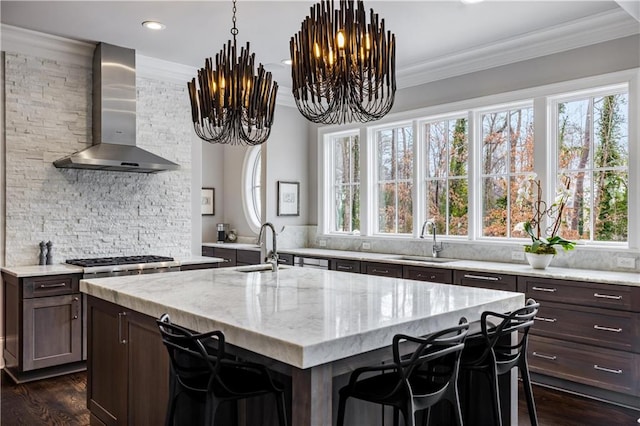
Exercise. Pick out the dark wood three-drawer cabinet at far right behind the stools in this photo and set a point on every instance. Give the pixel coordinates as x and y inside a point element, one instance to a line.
<point>586,334</point>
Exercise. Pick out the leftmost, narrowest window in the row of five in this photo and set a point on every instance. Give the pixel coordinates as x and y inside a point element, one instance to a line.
<point>346,183</point>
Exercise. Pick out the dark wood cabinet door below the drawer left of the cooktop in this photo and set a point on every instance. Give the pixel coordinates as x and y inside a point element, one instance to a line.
<point>52,331</point>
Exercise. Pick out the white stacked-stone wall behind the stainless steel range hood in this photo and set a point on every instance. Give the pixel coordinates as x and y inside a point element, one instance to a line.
<point>90,213</point>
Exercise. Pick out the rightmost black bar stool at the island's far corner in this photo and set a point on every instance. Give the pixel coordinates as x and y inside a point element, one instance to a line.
<point>491,352</point>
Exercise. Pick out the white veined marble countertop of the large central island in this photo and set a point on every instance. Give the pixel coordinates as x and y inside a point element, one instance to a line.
<point>300,316</point>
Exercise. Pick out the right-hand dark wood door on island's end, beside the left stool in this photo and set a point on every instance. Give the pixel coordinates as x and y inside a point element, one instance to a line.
<point>148,367</point>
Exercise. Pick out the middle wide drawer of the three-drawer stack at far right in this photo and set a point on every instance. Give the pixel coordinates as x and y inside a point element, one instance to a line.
<point>599,327</point>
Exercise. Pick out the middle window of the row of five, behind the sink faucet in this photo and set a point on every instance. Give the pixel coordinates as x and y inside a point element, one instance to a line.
<point>446,170</point>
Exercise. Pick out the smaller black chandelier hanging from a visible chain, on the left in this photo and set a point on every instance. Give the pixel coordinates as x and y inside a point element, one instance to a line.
<point>233,105</point>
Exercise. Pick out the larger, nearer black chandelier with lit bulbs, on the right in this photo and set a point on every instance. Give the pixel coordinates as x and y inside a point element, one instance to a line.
<point>343,68</point>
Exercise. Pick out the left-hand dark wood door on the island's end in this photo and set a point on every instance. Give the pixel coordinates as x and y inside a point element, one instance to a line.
<point>107,362</point>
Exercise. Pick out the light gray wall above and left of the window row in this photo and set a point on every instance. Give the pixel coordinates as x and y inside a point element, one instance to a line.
<point>612,56</point>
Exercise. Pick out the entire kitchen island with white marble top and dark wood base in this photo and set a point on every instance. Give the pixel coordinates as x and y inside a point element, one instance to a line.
<point>313,326</point>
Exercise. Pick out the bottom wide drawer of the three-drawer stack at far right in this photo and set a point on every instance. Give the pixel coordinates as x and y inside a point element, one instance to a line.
<point>602,368</point>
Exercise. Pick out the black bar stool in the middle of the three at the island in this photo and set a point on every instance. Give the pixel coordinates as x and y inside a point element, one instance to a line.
<point>413,382</point>
